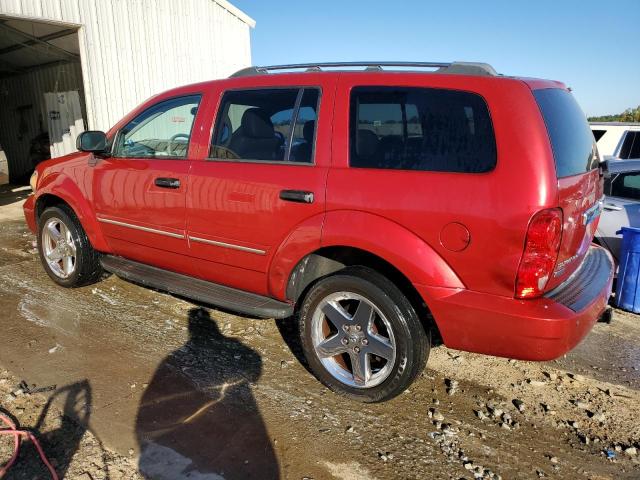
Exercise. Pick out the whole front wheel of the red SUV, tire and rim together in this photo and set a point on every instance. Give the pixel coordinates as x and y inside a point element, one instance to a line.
<point>65,251</point>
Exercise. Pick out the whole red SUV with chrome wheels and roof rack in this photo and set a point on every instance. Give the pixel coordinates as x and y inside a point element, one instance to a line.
<point>377,207</point>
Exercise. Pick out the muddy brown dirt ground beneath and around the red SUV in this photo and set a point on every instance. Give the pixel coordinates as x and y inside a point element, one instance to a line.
<point>125,382</point>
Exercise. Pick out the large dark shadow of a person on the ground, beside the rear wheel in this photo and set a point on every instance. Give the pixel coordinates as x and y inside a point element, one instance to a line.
<point>198,417</point>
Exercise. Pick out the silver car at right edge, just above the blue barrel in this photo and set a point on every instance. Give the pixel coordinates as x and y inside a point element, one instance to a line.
<point>621,204</point>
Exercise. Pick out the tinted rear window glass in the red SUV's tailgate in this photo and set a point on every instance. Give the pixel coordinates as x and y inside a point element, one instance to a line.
<point>571,137</point>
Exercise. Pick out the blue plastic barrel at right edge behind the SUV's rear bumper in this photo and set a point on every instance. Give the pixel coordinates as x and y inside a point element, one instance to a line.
<point>628,287</point>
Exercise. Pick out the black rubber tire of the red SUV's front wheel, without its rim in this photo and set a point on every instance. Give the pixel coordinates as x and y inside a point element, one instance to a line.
<point>87,267</point>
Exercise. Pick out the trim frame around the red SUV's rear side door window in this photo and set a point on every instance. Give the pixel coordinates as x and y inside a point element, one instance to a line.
<point>301,89</point>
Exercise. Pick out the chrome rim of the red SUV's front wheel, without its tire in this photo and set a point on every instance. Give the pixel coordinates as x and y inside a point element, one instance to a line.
<point>58,248</point>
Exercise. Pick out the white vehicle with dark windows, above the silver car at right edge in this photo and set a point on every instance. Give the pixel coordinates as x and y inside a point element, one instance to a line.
<point>617,140</point>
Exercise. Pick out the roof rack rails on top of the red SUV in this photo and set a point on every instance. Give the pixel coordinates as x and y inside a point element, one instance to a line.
<point>461,68</point>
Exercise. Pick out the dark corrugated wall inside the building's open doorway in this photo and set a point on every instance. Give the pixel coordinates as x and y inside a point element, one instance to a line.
<point>23,114</point>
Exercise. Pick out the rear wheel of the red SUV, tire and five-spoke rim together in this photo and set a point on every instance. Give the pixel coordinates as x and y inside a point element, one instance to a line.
<point>361,336</point>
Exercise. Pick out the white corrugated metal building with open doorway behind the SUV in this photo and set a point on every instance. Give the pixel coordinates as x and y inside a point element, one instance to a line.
<point>113,53</point>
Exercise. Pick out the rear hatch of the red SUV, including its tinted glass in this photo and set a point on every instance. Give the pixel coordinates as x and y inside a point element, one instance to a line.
<point>580,185</point>
